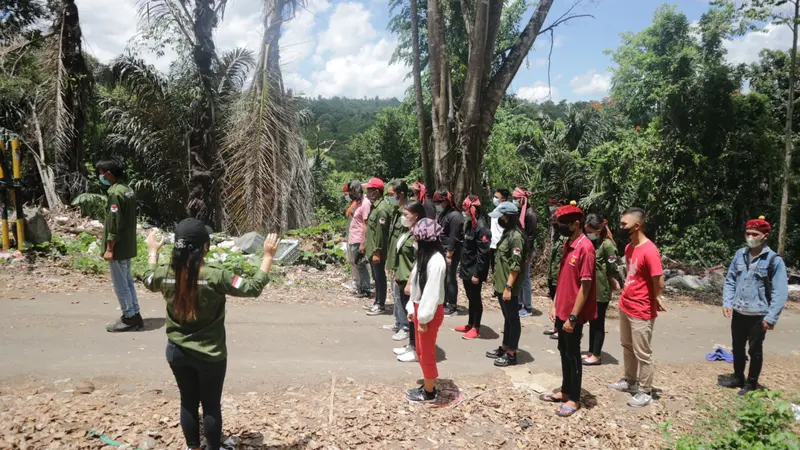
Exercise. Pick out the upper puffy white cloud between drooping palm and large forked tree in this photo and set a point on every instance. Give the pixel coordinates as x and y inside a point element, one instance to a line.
<point>348,29</point>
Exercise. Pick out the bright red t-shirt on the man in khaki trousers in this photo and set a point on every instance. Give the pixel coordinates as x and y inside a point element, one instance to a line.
<point>638,299</point>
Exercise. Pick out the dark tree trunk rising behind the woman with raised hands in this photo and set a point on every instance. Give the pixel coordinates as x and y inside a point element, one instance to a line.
<point>204,172</point>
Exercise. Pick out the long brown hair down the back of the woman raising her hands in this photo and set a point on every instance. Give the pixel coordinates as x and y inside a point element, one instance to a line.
<point>186,263</point>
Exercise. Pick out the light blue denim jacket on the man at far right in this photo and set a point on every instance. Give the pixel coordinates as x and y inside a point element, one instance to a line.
<point>745,289</point>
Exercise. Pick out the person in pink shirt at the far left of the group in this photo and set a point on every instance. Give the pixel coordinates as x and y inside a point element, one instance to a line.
<point>357,214</point>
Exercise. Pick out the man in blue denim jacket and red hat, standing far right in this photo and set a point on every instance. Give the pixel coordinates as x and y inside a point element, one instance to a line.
<point>754,296</point>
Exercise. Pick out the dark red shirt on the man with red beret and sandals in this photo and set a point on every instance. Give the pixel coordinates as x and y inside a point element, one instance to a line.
<point>577,263</point>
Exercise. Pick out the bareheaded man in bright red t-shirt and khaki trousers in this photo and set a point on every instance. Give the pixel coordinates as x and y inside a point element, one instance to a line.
<point>638,308</point>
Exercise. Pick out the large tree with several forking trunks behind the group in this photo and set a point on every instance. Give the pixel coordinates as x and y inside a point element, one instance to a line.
<point>460,138</point>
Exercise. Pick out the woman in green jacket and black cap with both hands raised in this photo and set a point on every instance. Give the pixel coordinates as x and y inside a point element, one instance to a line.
<point>195,292</point>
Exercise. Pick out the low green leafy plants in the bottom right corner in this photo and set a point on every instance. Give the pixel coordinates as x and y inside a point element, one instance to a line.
<point>760,421</point>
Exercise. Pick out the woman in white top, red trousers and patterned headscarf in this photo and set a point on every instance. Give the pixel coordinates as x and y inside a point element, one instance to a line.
<point>426,308</point>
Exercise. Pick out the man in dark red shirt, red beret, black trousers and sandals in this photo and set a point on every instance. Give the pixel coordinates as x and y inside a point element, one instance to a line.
<point>575,304</point>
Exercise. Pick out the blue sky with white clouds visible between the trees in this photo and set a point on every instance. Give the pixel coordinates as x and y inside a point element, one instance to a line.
<point>343,48</point>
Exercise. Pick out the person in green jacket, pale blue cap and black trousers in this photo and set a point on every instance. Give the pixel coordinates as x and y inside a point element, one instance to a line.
<point>509,258</point>
